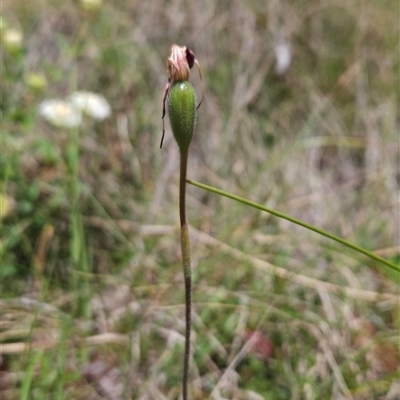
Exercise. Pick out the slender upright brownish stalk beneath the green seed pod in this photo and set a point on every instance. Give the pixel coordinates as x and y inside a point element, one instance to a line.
<point>185,246</point>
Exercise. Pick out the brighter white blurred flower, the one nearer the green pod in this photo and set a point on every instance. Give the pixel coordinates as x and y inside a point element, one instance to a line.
<point>92,104</point>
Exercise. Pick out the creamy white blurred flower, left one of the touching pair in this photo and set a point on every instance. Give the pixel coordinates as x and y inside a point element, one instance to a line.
<point>60,113</point>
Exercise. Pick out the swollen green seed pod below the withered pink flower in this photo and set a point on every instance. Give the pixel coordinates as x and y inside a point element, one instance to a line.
<point>182,113</point>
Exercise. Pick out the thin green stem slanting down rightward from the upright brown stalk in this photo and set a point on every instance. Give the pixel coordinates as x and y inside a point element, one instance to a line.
<point>298,222</point>
